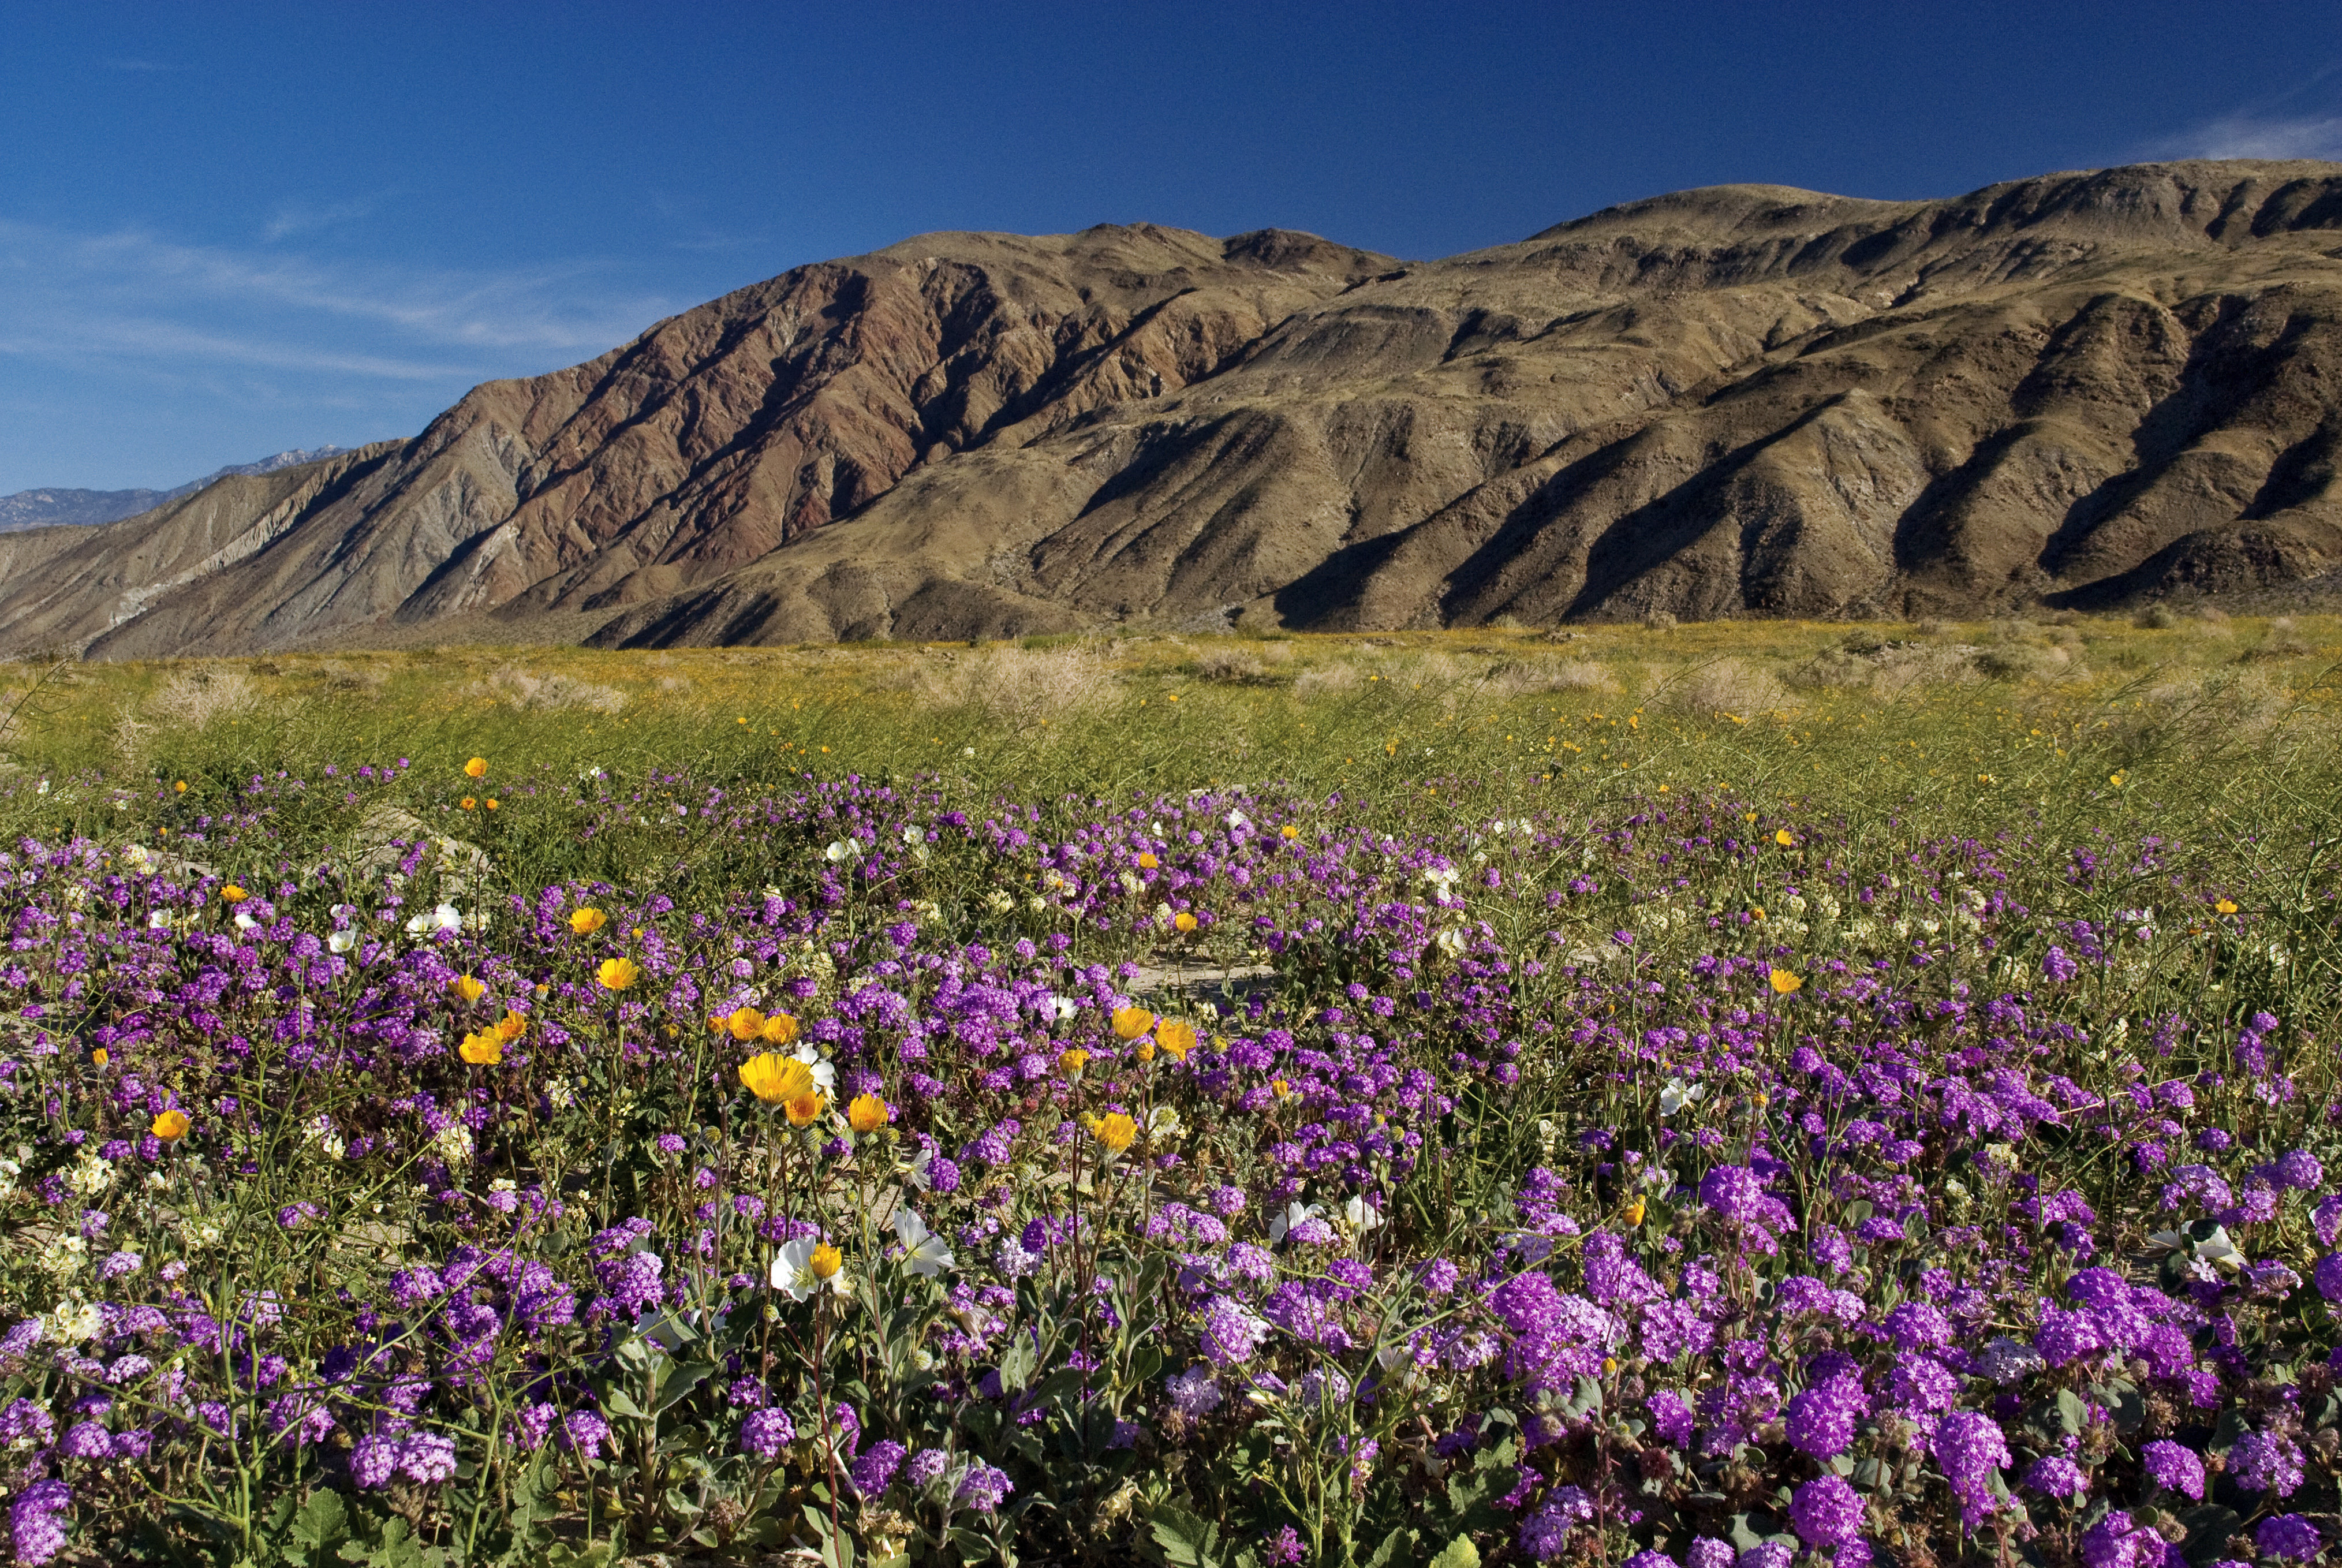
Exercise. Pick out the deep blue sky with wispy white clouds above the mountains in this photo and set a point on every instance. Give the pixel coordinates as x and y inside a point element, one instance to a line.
<point>240,229</point>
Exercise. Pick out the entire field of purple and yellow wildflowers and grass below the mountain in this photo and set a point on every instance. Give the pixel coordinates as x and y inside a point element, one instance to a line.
<point>1678,1096</point>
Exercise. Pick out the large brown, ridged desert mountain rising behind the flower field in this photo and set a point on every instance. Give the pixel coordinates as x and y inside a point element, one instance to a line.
<point>2081,388</point>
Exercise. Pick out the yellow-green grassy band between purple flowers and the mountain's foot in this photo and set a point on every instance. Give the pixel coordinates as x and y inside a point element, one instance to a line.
<point>1968,721</point>
